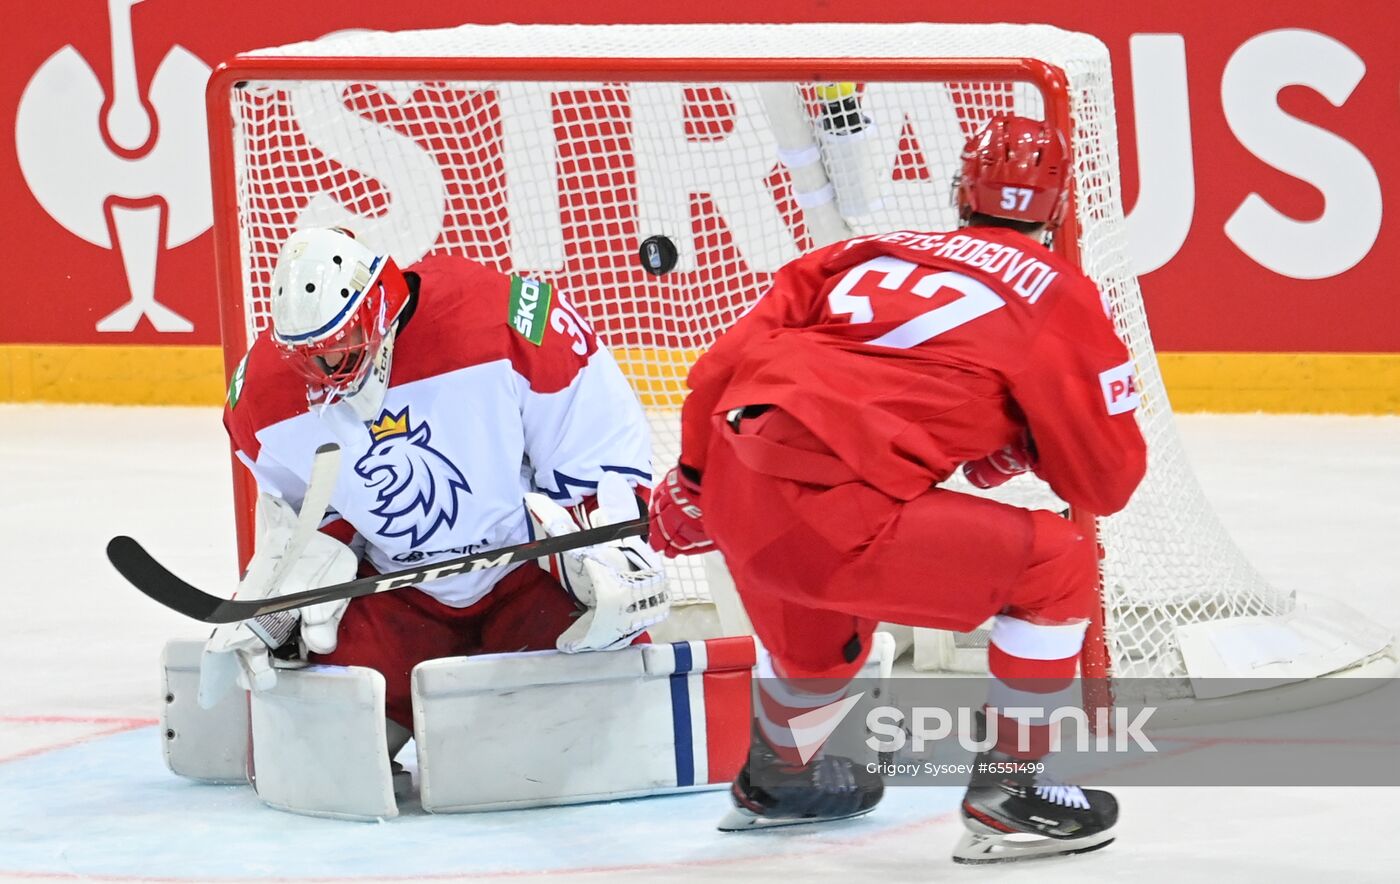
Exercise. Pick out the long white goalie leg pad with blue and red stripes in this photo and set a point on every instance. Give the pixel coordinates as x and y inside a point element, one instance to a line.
<point>541,728</point>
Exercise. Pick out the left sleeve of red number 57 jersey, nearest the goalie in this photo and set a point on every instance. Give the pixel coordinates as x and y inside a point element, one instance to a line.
<point>787,303</point>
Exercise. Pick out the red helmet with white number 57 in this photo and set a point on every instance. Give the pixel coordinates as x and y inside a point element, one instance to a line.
<point>1016,169</point>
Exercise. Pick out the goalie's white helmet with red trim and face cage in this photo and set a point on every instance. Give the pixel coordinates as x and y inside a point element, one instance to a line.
<point>334,303</point>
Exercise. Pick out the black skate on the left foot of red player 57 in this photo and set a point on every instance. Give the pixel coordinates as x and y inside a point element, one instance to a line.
<point>771,794</point>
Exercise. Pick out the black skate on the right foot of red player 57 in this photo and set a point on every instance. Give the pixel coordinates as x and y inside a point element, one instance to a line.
<point>1004,799</point>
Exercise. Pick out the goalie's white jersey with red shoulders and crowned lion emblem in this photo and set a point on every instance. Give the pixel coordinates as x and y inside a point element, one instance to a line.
<point>496,389</point>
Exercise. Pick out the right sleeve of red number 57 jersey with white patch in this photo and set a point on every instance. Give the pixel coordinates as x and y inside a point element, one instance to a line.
<point>1079,392</point>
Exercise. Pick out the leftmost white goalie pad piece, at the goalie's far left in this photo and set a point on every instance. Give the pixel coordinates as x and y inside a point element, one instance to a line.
<point>204,745</point>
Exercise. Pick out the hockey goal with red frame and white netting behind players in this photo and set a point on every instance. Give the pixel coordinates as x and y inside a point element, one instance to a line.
<point>558,151</point>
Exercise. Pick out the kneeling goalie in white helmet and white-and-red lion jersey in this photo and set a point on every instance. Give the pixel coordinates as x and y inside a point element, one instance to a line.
<point>470,407</point>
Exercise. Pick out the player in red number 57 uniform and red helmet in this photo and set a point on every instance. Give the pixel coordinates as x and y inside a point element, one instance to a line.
<point>815,441</point>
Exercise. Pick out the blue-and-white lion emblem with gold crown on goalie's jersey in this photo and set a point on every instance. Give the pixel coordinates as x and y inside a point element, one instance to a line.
<point>416,487</point>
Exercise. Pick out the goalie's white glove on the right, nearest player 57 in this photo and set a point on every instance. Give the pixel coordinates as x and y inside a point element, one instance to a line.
<point>621,583</point>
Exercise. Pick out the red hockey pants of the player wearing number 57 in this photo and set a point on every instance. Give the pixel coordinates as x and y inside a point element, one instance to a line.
<point>820,558</point>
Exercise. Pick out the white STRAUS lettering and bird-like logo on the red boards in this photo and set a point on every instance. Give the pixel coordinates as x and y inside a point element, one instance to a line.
<point>138,180</point>
